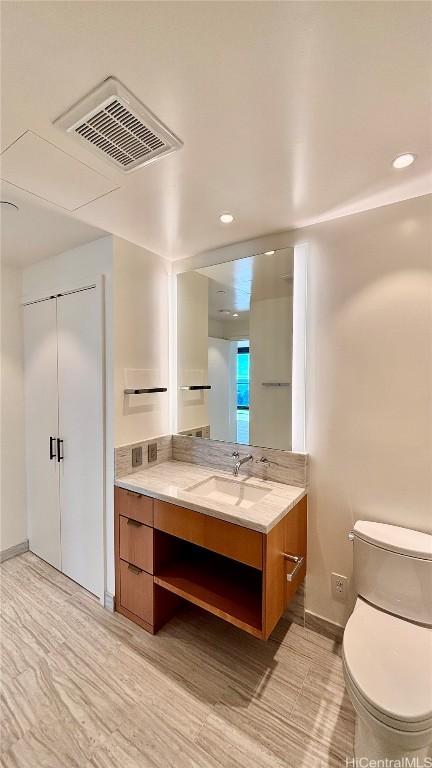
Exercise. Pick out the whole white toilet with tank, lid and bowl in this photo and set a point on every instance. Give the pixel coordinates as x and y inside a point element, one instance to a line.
<point>387,644</point>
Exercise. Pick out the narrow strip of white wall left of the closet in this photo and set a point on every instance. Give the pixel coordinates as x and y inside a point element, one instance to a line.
<point>13,528</point>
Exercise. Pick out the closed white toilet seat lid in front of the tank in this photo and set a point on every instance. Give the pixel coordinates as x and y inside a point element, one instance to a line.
<point>389,661</point>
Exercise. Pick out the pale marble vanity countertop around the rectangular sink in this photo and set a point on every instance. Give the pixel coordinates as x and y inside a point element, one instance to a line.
<point>169,480</point>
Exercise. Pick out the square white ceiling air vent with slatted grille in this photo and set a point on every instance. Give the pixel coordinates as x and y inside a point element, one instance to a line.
<point>112,122</point>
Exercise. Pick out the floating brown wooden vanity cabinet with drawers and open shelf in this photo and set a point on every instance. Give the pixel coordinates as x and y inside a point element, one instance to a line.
<point>166,554</point>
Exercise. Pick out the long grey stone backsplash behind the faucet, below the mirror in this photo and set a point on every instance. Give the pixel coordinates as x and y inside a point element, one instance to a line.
<point>283,466</point>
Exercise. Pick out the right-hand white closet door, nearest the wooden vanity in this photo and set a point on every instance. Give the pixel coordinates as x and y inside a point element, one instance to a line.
<point>80,427</point>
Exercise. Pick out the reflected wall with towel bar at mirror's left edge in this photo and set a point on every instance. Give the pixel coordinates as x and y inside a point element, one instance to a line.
<point>192,349</point>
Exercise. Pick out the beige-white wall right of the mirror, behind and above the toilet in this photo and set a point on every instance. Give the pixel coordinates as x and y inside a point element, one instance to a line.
<point>369,382</point>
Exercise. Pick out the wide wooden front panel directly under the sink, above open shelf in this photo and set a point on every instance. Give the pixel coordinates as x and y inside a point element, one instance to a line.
<point>234,541</point>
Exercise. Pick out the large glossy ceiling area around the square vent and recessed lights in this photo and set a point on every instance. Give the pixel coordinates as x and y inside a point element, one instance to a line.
<point>290,112</point>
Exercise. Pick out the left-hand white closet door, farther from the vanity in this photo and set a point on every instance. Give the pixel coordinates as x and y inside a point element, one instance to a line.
<point>41,406</point>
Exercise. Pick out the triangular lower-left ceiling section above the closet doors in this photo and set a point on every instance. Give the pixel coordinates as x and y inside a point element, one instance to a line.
<point>37,231</point>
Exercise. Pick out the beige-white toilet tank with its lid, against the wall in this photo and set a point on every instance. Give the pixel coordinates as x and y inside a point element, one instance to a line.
<point>393,569</point>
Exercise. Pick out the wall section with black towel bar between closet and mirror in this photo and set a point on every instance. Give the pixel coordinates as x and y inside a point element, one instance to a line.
<point>141,331</point>
